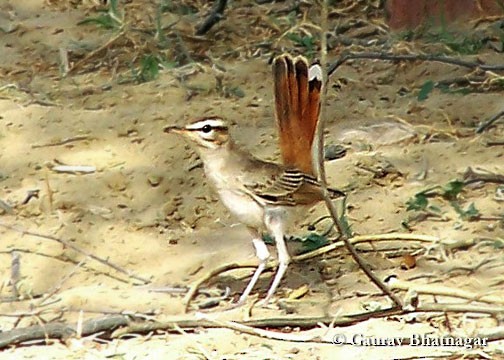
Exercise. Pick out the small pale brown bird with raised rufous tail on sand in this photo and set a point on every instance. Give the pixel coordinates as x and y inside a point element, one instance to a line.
<point>264,195</point>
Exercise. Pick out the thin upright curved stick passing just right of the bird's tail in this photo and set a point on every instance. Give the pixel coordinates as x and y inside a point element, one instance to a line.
<point>318,162</point>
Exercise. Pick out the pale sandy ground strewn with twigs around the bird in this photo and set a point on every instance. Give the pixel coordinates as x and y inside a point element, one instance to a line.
<point>149,209</point>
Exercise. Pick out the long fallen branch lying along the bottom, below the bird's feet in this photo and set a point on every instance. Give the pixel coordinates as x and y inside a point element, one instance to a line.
<point>119,325</point>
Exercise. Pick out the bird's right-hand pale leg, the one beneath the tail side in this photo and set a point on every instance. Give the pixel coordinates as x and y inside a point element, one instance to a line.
<point>274,221</point>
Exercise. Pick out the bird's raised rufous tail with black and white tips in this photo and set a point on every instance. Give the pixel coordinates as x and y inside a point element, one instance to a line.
<point>297,99</point>
